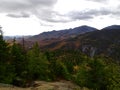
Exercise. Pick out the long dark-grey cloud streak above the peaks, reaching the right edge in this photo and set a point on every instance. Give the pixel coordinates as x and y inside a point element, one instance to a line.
<point>90,14</point>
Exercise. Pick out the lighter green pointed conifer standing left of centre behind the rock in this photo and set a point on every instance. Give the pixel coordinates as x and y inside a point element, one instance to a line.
<point>37,64</point>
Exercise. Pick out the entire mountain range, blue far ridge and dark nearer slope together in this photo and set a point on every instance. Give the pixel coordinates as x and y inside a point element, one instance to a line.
<point>86,39</point>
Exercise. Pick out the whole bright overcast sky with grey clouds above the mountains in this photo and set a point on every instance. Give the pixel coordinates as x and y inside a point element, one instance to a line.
<point>31,17</point>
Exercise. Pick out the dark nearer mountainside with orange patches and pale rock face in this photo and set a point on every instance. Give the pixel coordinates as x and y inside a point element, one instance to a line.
<point>105,41</point>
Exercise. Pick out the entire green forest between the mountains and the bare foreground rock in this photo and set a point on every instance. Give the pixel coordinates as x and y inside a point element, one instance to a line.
<point>21,67</point>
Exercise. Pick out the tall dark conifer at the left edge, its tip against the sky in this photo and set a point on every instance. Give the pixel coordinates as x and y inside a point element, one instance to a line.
<point>6,69</point>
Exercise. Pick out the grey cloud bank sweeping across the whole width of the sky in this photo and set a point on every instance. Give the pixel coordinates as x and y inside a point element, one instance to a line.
<point>43,9</point>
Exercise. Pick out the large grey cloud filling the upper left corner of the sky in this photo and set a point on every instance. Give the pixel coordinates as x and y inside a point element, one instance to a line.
<point>43,9</point>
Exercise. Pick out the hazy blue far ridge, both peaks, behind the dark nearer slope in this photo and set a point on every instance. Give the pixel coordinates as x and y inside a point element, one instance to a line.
<point>69,33</point>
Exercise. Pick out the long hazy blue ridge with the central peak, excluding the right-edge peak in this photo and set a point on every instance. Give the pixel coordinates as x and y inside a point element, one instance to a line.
<point>63,34</point>
